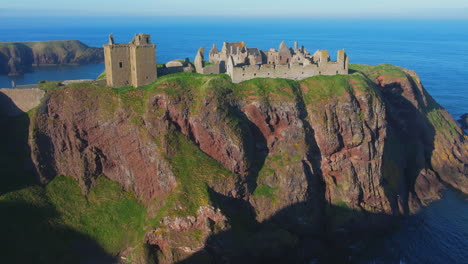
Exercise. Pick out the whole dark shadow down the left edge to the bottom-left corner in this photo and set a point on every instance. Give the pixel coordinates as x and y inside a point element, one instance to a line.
<point>30,232</point>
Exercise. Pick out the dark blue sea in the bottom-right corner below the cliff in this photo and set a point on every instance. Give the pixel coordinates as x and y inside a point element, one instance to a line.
<point>437,234</point>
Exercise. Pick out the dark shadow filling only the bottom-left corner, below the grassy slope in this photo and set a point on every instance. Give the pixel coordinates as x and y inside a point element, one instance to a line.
<point>30,234</point>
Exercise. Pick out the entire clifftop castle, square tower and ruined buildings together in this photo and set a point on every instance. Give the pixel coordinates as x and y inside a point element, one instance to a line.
<point>134,64</point>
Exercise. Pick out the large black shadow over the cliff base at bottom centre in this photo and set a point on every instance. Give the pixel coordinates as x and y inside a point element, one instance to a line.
<point>248,241</point>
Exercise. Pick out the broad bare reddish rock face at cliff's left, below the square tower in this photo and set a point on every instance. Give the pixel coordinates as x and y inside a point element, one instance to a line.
<point>80,138</point>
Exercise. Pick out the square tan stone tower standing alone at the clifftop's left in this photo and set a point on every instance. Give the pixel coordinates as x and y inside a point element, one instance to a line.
<point>132,64</point>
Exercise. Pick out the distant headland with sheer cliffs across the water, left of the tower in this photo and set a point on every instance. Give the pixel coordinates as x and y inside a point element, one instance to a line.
<point>19,57</point>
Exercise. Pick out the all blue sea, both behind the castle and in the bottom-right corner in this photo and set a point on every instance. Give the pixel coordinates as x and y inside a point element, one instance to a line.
<point>436,50</point>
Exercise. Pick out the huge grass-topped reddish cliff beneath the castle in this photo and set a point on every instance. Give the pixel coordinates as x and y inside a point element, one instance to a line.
<point>265,170</point>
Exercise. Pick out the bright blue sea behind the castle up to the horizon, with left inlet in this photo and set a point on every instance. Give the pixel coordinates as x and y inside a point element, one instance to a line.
<point>436,50</point>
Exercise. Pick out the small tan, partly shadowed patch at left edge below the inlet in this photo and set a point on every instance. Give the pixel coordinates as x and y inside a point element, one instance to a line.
<point>16,101</point>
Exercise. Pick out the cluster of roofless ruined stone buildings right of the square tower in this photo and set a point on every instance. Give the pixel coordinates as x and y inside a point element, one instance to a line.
<point>243,63</point>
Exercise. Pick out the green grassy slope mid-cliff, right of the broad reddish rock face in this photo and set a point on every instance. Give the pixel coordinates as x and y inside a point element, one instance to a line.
<point>194,171</point>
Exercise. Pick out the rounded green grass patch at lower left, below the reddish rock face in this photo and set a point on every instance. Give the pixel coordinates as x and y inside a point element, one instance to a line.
<point>109,215</point>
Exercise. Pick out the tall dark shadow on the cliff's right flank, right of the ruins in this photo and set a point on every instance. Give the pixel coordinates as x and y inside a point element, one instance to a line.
<point>408,147</point>
